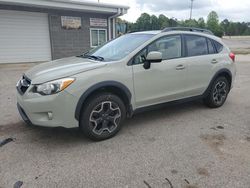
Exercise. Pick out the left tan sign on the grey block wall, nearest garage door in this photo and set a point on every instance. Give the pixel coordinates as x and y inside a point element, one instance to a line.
<point>69,22</point>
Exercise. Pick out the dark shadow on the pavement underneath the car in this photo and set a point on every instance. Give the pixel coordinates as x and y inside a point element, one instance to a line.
<point>60,136</point>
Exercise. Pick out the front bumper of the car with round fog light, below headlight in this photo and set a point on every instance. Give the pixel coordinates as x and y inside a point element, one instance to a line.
<point>56,110</point>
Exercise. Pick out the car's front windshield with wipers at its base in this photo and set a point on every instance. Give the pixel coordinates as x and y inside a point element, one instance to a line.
<point>119,47</point>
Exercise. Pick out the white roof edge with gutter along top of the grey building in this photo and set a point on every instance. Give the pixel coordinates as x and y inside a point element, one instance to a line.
<point>75,5</point>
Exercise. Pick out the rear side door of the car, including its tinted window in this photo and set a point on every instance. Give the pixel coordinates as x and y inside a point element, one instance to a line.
<point>201,60</point>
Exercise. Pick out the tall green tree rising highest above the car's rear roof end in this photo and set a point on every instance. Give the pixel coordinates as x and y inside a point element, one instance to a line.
<point>213,24</point>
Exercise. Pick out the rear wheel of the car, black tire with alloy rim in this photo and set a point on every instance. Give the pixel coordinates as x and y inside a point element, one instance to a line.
<point>217,93</point>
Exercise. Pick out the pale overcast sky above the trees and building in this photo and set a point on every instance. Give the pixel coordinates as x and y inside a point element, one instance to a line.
<point>236,10</point>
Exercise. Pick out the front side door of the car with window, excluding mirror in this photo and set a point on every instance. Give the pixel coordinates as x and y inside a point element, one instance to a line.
<point>164,81</point>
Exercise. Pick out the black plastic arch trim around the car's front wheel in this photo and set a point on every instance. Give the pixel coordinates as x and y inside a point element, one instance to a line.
<point>100,85</point>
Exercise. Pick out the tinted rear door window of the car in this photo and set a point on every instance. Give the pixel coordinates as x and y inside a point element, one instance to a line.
<point>196,45</point>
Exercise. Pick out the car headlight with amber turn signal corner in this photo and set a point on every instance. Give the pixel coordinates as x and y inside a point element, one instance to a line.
<point>53,87</point>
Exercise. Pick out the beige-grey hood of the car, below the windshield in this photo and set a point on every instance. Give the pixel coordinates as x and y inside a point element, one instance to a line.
<point>61,68</point>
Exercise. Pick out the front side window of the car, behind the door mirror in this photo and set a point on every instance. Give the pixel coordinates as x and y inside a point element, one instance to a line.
<point>169,46</point>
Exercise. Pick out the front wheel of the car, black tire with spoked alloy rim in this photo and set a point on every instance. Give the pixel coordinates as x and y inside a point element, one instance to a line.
<point>102,116</point>
